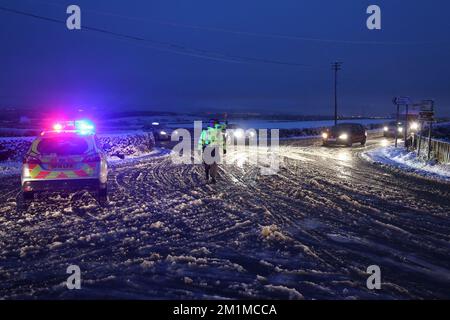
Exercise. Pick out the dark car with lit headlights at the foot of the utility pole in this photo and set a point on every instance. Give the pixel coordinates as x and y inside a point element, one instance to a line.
<point>345,134</point>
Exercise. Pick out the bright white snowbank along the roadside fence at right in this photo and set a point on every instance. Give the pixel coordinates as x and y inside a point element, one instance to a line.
<point>408,161</point>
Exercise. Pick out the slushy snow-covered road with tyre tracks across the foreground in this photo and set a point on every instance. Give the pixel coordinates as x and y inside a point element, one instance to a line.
<point>309,231</point>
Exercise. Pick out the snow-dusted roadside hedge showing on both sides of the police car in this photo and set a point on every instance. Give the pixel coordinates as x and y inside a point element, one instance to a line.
<point>127,144</point>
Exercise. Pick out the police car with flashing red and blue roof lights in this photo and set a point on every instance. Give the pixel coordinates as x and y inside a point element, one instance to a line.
<point>66,157</point>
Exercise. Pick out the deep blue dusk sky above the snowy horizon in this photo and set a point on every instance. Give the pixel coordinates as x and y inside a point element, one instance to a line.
<point>192,56</point>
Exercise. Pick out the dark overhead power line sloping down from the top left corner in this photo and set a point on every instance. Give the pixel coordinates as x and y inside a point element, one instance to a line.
<point>166,46</point>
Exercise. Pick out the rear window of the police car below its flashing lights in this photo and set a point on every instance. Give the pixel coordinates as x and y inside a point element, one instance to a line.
<point>63,145</point>
